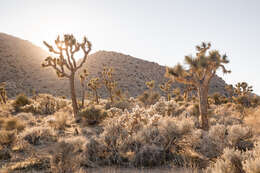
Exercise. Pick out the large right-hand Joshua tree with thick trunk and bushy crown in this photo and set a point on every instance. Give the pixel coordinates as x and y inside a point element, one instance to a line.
<point>201,70</point>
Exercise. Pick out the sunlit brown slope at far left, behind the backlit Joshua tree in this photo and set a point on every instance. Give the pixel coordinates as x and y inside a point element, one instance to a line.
<point>20,67</point>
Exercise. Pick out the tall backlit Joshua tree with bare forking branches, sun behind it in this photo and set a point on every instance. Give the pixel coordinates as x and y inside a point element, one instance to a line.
<point>64,63</point>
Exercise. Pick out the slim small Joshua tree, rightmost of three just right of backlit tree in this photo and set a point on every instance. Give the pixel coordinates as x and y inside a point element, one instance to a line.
<point>109,82</point>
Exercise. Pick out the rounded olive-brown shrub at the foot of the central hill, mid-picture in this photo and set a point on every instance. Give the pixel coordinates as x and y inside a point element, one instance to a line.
<point>149,98</point>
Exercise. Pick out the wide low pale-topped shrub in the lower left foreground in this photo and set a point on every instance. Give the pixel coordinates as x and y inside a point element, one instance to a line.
<point>39,135</point>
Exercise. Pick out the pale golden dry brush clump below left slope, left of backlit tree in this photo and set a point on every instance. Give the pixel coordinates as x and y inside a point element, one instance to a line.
<point>45,104</point>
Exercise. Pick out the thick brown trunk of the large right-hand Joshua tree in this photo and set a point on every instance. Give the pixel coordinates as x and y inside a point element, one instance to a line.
<point>203,106</point>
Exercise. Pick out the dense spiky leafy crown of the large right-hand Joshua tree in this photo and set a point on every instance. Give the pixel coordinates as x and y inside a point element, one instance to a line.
<point>201,68</point>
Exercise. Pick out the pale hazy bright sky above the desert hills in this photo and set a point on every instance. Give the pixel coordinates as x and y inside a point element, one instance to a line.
<point>162,31</point>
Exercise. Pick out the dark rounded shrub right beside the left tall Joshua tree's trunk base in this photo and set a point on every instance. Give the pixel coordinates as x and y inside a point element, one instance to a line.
<point>93,114</point>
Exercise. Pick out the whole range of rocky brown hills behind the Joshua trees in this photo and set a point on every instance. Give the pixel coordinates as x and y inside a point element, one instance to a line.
<point>20,68</point>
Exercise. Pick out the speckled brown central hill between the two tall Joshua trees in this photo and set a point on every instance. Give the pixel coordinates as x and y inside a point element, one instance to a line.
<point>131,73</point>
